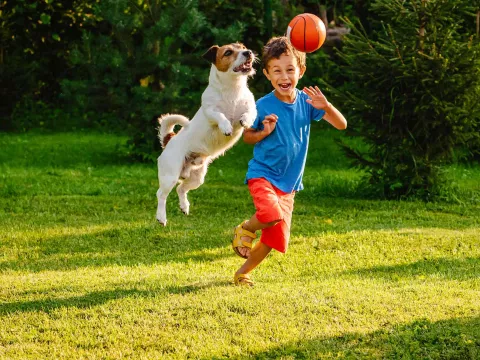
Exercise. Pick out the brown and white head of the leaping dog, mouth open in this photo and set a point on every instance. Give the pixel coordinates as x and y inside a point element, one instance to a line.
<point>234,58</point>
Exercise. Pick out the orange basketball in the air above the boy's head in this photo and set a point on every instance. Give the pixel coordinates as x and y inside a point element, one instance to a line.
<point>306,32</point>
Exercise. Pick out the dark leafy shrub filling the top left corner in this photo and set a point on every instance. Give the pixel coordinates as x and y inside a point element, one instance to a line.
<point>35,40</point>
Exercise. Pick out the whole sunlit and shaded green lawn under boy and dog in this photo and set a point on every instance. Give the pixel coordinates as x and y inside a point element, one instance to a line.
<point>86,273</point>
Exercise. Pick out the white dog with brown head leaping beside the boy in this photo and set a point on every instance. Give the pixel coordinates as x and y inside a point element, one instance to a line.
<point>228,106</point>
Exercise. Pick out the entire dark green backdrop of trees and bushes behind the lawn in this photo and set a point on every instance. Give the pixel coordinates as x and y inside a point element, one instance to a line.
<point>406,76</point>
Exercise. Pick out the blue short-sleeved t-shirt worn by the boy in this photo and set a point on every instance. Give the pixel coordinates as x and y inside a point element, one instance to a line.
<point>281,156</point>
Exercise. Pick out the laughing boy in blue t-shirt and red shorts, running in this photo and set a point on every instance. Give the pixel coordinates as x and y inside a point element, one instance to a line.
<point>280,134</point>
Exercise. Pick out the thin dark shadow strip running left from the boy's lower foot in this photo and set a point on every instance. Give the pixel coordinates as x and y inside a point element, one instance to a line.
<point>101,297</point>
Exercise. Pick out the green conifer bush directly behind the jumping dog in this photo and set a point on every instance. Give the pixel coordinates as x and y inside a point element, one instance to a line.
<point>145,60</point>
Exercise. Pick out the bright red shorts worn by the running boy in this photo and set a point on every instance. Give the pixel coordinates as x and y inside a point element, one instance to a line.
<point>272,204</point>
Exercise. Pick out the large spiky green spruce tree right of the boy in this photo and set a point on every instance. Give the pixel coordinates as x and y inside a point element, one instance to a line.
<point>413,96</point>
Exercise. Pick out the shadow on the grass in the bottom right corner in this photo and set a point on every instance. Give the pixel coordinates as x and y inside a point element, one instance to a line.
<point>421,339</point>
